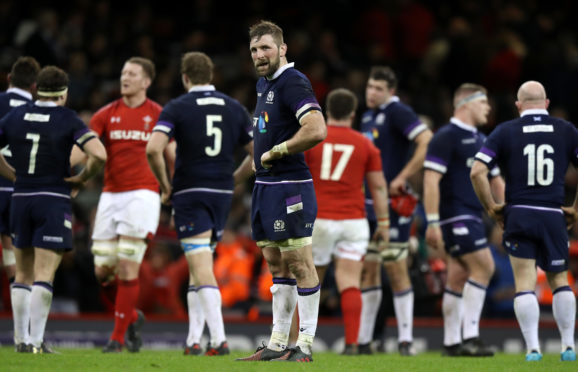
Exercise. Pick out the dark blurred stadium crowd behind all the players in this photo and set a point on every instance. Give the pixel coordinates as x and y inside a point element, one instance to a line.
<point>433,45</point>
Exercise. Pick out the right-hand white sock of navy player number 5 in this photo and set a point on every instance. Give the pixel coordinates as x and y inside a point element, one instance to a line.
<point>210,299</point>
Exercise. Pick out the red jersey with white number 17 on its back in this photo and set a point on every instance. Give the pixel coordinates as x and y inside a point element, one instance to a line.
<point>338,166</point>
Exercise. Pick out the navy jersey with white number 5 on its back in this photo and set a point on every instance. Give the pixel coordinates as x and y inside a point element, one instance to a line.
<point>208,126</point>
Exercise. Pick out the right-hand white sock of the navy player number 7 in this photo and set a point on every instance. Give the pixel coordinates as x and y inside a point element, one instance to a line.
<point>40,301</point>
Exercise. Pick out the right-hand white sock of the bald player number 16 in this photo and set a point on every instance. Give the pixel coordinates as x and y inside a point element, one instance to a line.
<point>564,309</point>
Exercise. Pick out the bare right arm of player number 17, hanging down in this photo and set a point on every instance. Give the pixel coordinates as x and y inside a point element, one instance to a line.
<point>378,187</point>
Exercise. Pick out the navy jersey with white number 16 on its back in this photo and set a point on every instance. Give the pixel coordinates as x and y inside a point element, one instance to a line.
<point>533,152</point>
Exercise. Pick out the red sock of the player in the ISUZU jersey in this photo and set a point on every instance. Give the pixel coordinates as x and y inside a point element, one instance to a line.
<point>124,313</point>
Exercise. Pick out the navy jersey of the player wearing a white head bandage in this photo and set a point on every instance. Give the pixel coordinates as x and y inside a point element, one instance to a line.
<point>451,152</point>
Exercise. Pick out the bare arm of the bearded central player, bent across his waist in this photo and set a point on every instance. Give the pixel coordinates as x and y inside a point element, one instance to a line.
<point>313,130</point>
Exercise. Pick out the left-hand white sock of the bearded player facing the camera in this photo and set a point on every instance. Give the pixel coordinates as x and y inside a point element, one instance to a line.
<point>284,292</point>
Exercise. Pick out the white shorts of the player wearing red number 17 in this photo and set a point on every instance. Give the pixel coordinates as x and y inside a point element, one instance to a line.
<point>346,239</point>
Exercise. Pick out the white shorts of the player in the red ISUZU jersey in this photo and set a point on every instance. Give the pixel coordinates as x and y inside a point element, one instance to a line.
<point>132,213</point>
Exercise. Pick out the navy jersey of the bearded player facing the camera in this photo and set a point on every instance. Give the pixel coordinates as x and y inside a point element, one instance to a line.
<point>281,103</point>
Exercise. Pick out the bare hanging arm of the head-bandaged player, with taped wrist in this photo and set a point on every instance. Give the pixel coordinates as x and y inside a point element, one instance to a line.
<point>431,203</point>
